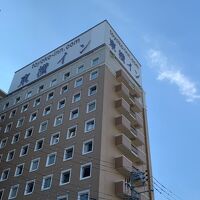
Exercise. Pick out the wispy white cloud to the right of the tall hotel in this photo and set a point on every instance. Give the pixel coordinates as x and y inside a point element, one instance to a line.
<point>166,71</point>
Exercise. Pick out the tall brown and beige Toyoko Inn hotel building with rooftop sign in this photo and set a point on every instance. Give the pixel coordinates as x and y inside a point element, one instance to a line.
<point>73,124</point>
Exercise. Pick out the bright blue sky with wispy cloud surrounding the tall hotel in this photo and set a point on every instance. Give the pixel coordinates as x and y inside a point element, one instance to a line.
<point>164,37</point>
